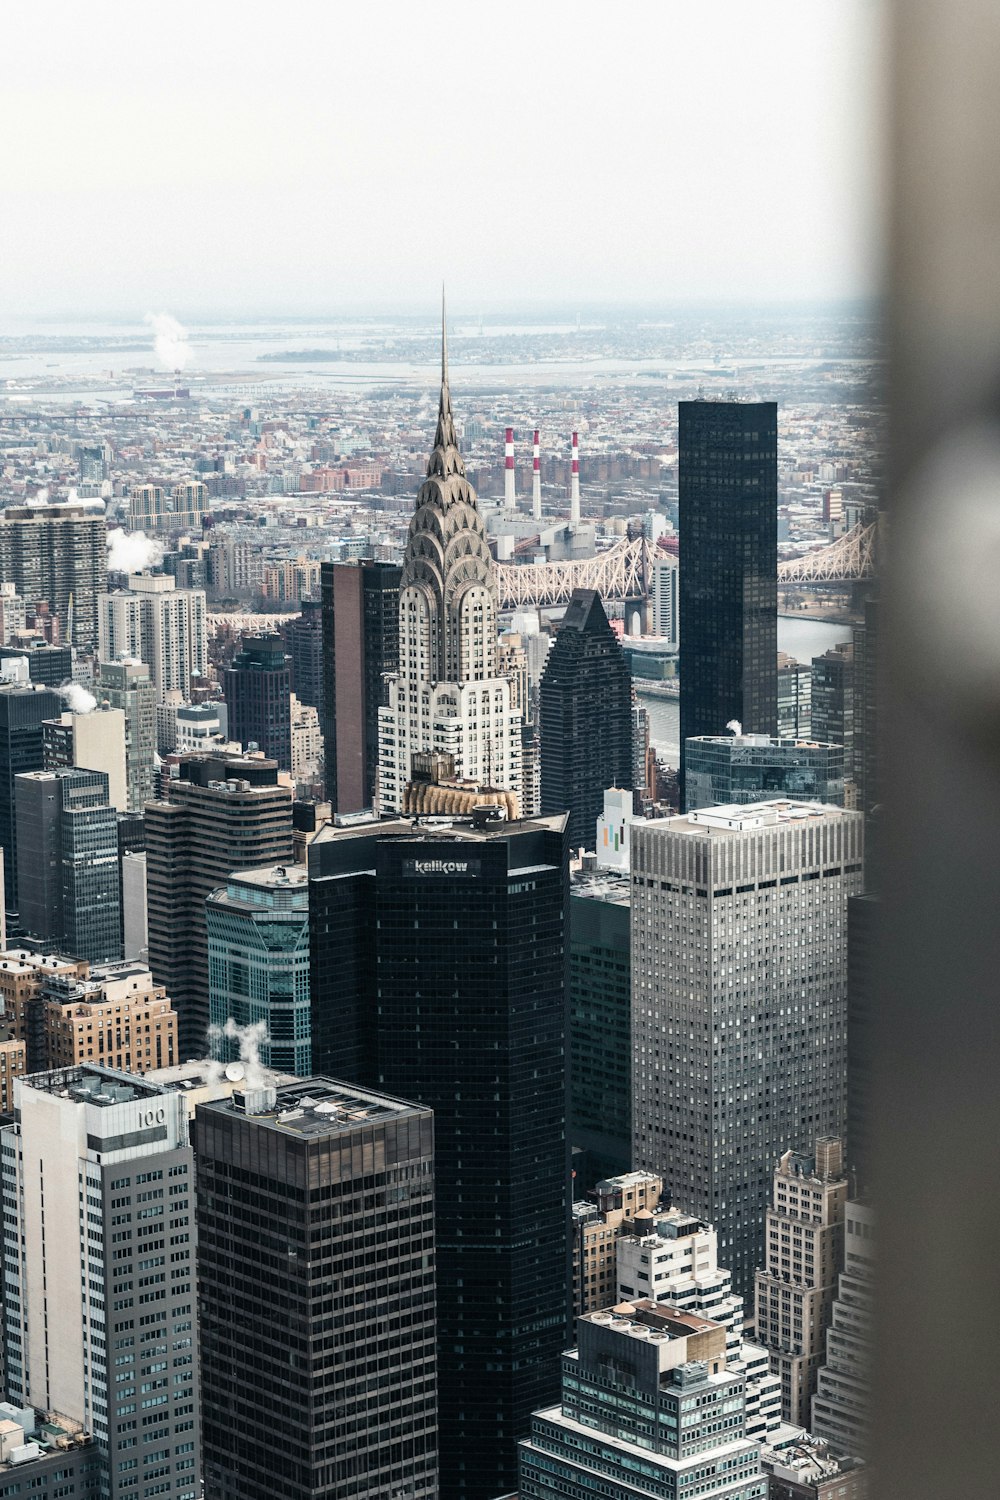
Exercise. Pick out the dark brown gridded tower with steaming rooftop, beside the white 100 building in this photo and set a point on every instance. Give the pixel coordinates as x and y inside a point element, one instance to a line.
<point>317,1196</point>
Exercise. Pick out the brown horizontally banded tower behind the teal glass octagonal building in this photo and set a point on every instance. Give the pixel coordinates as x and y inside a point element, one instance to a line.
<point>221,815</point>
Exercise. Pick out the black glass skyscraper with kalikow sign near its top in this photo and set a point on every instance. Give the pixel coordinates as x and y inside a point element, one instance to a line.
<point>467,1004</point>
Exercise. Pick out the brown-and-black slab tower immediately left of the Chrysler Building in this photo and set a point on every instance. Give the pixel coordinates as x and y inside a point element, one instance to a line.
<point>361,649</point>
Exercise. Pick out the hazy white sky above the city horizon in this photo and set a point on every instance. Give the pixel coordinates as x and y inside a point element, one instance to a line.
<point>229,155</point>
